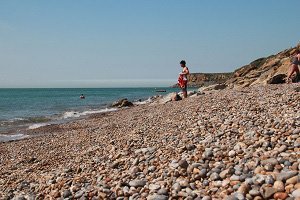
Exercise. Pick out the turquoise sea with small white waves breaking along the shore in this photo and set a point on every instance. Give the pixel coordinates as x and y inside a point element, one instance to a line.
<point>23,109</point>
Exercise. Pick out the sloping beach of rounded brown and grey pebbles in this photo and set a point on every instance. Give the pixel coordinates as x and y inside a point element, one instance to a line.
<point>227,144</point>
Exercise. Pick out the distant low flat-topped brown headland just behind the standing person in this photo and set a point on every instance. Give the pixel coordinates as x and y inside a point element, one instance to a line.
<point>206,79</point>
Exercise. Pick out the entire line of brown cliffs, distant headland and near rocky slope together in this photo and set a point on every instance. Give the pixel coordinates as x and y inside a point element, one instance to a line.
<point>268,70</point>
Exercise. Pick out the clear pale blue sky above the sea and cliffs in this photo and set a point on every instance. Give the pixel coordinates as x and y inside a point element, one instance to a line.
<point>67,43</point>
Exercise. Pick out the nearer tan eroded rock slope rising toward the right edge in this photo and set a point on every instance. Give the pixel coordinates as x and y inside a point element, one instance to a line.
<point>269,70</point>
